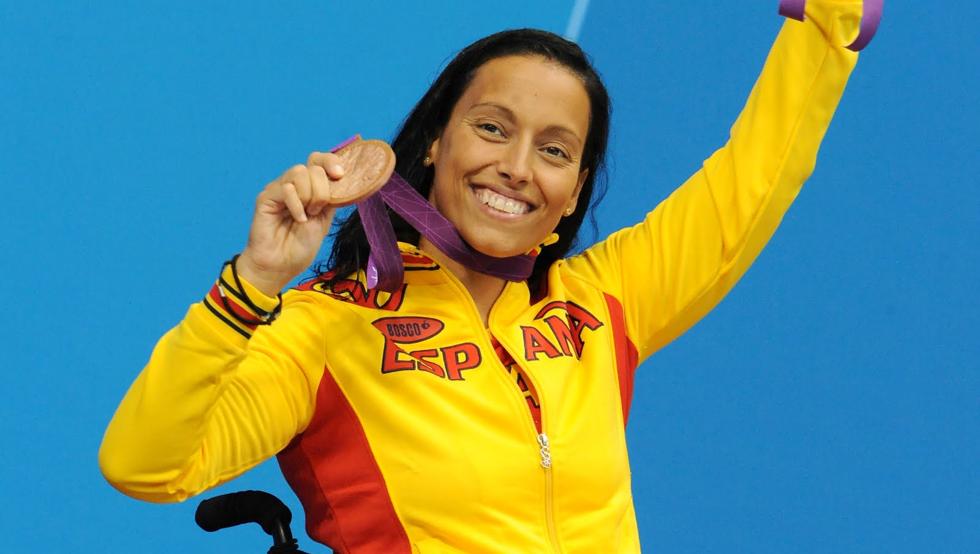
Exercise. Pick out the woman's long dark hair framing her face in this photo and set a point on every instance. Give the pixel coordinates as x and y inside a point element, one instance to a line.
<point>429,117</point>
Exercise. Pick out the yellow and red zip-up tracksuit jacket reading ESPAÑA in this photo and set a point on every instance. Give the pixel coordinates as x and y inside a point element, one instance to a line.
<point>393,419</point>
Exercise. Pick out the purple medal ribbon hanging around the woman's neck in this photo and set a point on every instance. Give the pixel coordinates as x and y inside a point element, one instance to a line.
<point>385,270</point>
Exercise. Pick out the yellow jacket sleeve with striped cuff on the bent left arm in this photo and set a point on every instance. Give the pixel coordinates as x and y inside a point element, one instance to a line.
<point>217,396</point>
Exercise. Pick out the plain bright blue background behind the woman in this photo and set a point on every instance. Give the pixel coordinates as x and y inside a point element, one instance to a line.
<point>830,404</point>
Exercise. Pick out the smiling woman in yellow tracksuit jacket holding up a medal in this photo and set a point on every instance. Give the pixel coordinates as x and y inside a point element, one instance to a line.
<point>465,413</point>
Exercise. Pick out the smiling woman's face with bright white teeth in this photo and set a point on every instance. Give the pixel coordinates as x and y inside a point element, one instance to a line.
<point>508,164</point>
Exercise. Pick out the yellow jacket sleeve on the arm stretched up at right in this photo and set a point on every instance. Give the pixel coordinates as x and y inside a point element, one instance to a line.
<point>675,266</point>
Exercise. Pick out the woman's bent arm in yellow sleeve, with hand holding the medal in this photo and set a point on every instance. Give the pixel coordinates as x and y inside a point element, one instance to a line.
<point>229,387</point>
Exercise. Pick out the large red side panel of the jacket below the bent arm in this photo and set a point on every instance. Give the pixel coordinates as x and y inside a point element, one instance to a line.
<point>331,468</point>
